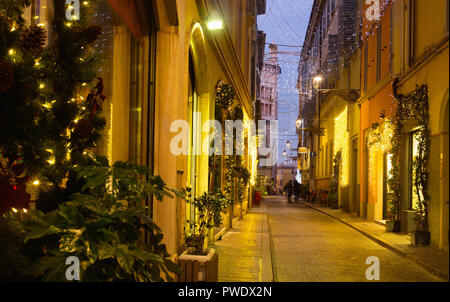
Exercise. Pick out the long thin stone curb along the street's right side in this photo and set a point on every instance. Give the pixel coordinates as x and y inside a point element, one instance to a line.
<point>399,252</point>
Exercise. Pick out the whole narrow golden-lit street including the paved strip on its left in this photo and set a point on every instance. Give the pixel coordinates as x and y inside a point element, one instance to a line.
<point>307,246</point>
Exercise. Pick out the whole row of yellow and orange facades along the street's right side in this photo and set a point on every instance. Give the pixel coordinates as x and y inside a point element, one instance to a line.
<point>398,48</point>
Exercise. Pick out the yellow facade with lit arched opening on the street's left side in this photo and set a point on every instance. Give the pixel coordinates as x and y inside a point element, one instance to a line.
<point>161,63</point>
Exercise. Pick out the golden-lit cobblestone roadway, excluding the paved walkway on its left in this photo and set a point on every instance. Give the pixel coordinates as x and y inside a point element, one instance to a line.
<point>310,246</point>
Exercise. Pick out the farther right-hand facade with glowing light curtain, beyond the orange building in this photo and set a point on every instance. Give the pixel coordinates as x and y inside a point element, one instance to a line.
<point>331,54</point>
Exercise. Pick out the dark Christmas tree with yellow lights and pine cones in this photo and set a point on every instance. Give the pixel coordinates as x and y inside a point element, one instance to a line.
<point>50,103</point>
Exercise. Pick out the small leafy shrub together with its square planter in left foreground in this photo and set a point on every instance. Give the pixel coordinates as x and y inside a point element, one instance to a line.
<point>198,262</point>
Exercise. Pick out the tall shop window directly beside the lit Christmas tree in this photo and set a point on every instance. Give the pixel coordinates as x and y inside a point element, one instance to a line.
<point>122,72</point>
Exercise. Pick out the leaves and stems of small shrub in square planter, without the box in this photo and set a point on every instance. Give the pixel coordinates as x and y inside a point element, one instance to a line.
<point>209,208</point>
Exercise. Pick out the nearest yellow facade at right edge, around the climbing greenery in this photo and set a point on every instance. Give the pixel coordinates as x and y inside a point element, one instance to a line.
<point>422,30</point>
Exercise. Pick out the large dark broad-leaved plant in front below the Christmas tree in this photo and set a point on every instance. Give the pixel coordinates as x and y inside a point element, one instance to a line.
<point>105,226</point>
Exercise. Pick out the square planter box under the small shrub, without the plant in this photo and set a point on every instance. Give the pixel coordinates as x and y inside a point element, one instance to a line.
<point>198,268</point>
